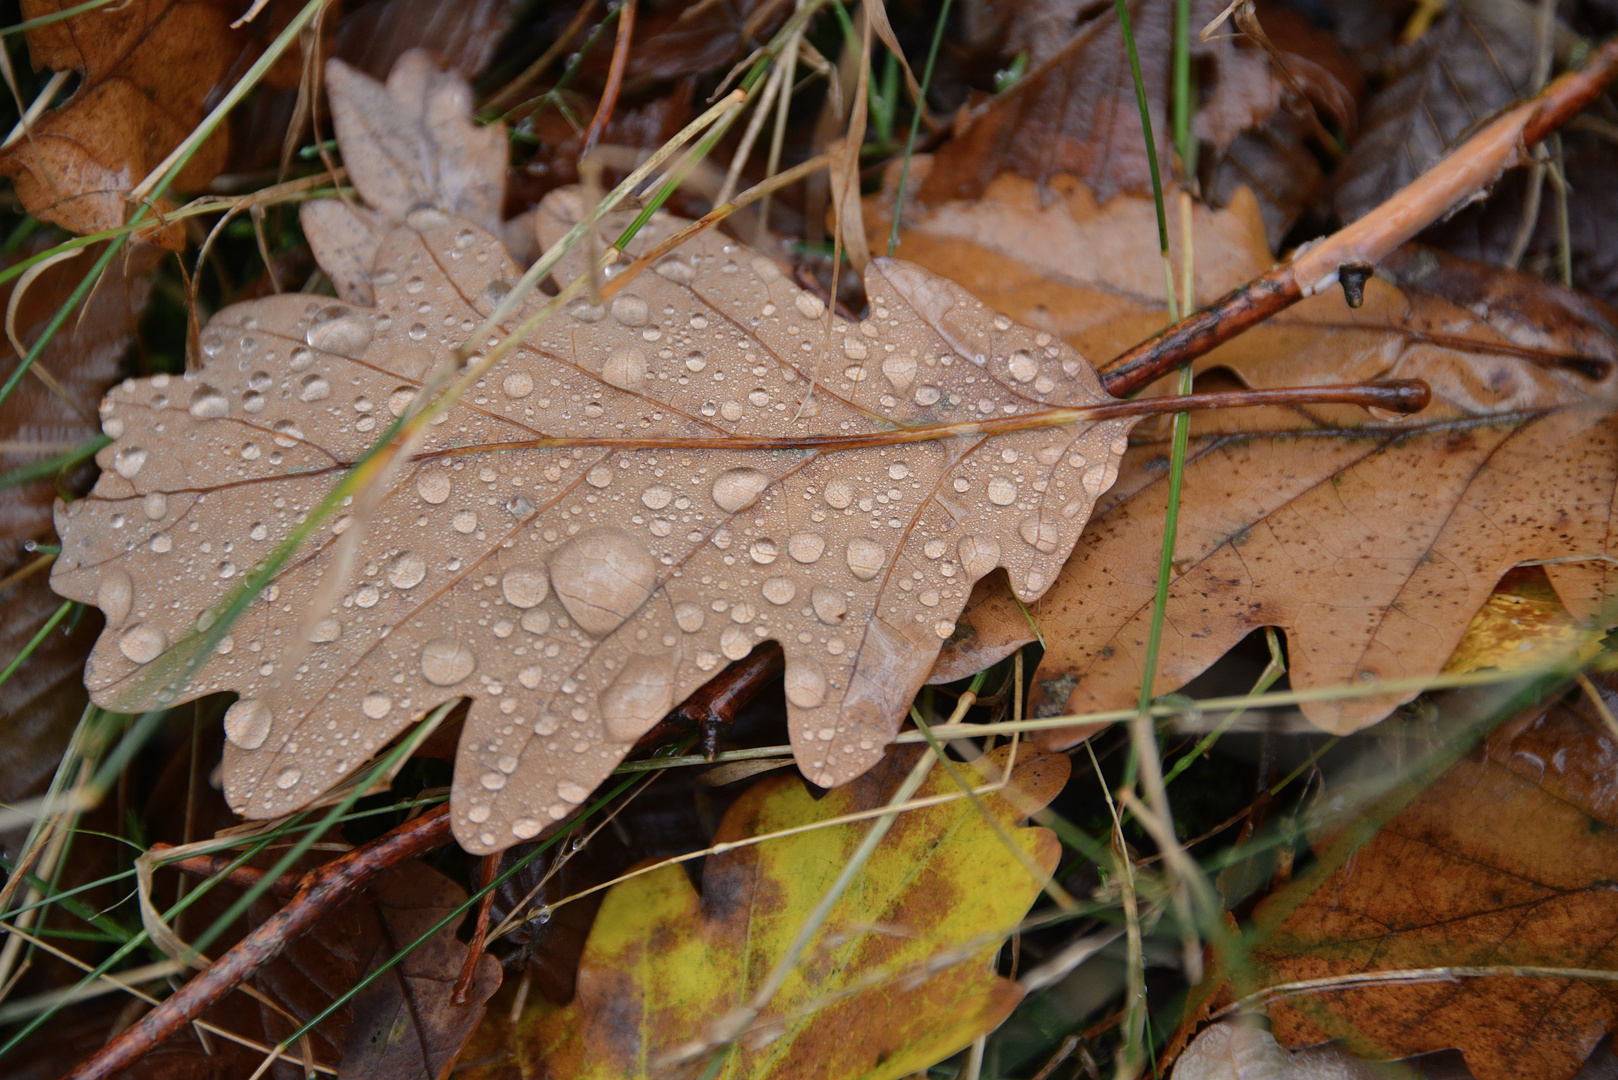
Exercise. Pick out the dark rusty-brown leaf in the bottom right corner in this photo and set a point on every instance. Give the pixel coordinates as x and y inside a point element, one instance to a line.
<point>1507,861</point>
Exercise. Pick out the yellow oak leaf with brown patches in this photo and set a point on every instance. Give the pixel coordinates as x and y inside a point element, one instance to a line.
<point>899,979</point>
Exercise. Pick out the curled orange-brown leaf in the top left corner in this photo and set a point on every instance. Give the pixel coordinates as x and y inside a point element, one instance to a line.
<point>150,70</point>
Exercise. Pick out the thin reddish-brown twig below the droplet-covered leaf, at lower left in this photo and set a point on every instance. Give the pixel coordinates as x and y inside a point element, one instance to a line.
<point>328,890</point>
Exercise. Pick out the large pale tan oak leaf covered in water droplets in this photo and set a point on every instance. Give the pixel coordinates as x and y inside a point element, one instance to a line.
<point>580,589</point>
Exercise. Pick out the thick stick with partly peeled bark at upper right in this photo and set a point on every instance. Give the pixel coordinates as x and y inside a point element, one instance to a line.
<point>1467,171</point>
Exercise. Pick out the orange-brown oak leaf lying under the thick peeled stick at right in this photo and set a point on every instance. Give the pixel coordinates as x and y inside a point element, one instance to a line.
<point>1371,545</point>
